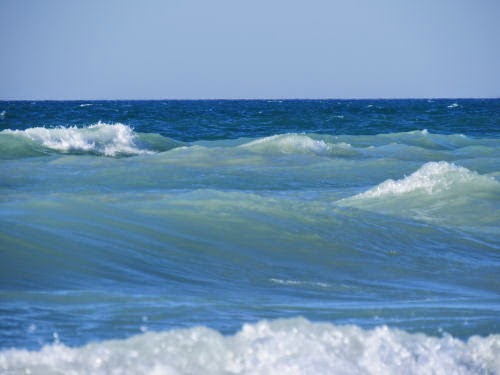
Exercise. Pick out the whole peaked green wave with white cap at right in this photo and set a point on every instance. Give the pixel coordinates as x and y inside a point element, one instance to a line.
<point>437,191</point>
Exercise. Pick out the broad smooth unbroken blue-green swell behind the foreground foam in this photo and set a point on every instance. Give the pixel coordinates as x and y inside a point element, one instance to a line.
<point>89,241</point>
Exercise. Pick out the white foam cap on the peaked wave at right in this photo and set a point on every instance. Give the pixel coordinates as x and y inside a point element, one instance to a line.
<point>432,177</point>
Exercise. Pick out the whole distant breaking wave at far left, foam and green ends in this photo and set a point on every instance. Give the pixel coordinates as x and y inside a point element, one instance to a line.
<point>98,139</point>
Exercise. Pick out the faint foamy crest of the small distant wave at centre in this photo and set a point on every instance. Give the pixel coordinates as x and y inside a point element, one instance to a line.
<point>296,143</point>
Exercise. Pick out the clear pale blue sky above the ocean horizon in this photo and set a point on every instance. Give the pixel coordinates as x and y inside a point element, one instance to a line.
<point>223,49</point>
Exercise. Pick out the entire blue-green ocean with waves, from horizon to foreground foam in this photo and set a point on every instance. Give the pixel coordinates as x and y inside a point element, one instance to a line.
<point>250,237</point>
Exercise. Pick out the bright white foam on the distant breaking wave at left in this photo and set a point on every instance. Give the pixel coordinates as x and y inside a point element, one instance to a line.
<point>101,138</point>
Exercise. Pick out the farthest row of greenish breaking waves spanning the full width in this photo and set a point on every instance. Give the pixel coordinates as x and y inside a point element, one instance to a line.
<point>117,140</point>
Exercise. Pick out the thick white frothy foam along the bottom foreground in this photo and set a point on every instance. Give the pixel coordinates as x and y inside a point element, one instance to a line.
<point>294,346</point>
